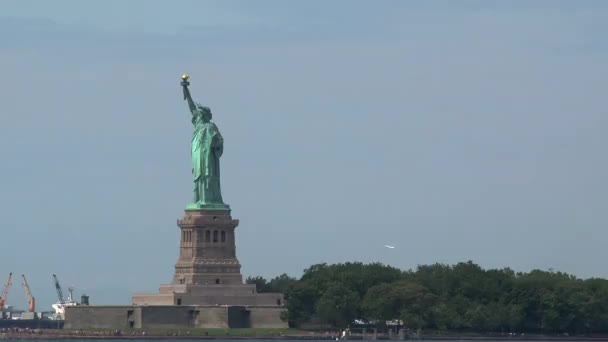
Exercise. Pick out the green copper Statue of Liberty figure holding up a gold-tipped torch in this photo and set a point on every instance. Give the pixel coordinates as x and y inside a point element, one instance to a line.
<point>207,148</point>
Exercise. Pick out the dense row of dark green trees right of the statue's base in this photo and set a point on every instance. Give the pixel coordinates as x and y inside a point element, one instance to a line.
<point>462,297</point>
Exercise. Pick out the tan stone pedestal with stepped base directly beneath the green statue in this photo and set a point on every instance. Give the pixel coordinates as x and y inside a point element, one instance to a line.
<point>207,271</point>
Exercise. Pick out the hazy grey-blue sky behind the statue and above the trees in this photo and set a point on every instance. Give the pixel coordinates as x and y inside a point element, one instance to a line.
<point>452,130</point>
